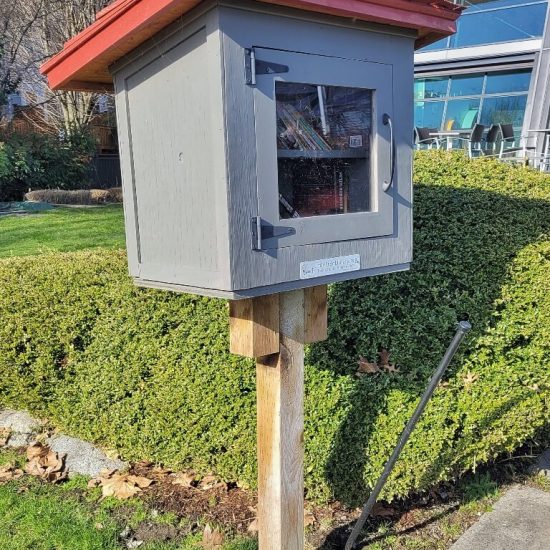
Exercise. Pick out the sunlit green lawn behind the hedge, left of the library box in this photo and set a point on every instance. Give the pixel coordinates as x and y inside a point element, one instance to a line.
<point>62,230</point>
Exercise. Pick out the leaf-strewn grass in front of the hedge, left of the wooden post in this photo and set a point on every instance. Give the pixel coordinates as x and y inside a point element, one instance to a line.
<point>70,516</point>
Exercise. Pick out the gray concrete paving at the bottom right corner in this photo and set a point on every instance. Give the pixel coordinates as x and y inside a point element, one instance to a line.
<point>519,520</point>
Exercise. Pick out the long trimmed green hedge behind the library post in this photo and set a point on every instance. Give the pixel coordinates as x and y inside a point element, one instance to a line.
<point>148,372</point>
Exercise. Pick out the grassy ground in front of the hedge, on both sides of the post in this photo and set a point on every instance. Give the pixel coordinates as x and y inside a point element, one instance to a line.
<point>72,516</point>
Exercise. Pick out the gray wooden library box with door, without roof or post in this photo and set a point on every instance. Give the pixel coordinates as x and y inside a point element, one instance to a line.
<point>218,119</point>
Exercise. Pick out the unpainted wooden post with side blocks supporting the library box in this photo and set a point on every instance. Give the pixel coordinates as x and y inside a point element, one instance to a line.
<point>301,318</point>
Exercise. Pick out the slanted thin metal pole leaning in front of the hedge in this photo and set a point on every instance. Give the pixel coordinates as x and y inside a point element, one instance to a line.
<point>463,328</point>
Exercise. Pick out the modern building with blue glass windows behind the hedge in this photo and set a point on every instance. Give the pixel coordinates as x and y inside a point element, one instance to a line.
<point>494,70</point>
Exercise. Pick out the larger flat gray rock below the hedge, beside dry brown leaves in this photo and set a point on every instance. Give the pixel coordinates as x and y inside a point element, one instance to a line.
<point>82,457</point>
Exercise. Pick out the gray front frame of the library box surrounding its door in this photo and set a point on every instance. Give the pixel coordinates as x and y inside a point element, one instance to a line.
<point>243,30</point>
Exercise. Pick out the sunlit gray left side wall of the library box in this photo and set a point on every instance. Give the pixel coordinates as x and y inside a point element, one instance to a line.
<point>176,172</point>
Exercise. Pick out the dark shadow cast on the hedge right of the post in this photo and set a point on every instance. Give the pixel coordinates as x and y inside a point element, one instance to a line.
<point>465,241</point>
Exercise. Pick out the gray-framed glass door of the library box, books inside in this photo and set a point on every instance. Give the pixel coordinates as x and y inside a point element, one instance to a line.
<point>324,153</point>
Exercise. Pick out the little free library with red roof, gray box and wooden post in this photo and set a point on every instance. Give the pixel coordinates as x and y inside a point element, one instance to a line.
<point>266,151</point>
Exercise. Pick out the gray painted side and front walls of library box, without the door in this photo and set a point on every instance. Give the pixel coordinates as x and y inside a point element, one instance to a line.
<point>190,158</point>
